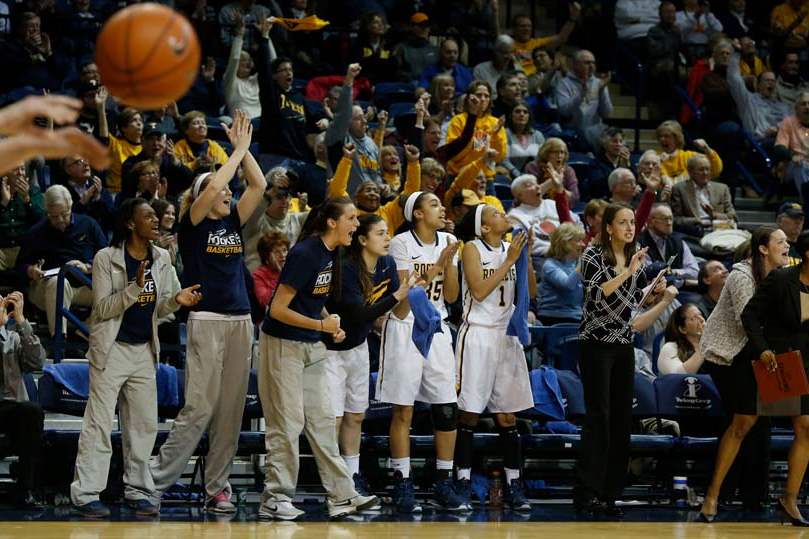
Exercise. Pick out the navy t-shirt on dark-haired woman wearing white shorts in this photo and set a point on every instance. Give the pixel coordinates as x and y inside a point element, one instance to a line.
<point>358,311</point>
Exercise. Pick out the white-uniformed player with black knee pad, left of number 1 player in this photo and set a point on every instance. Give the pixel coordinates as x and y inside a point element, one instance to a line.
<point>405,375</point>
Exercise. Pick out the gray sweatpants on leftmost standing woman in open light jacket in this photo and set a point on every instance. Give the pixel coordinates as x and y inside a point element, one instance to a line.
<point>128,379</point>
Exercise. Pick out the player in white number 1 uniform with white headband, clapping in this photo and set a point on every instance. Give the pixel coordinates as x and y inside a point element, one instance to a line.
<point>491,369</point>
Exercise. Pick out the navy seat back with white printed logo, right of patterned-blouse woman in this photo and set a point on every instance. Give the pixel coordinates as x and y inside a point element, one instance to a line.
<point>687,395</point>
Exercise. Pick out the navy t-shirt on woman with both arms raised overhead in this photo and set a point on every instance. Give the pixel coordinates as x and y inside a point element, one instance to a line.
<point>212,253</point>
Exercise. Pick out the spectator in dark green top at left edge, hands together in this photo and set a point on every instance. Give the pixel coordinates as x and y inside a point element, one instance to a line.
<point>21,206</point>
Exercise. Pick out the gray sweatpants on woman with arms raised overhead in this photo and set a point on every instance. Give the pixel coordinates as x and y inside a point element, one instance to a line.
<point>216,375</point>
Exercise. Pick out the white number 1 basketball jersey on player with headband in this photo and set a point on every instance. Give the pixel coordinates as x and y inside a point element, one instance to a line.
<point>495,310</point>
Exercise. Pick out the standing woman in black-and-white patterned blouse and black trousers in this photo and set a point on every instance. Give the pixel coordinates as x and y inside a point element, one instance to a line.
<point>613,287</point>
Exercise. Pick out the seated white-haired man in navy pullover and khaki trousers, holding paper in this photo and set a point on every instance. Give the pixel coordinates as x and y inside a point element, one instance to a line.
<point>63,237</point>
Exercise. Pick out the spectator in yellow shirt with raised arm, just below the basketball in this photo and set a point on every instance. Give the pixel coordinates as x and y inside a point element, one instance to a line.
<point>130,127</point>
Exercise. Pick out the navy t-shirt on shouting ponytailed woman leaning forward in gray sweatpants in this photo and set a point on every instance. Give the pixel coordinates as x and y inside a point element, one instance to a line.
<point>308,270</point>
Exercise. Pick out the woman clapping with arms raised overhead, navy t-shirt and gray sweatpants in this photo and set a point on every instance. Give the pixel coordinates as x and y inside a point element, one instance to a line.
<point>220,332</point>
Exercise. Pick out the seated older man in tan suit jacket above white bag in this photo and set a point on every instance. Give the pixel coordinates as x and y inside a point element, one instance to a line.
<point>699,203</point>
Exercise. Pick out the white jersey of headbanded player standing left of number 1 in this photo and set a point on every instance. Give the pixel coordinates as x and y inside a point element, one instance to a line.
<point>411,254</point>
